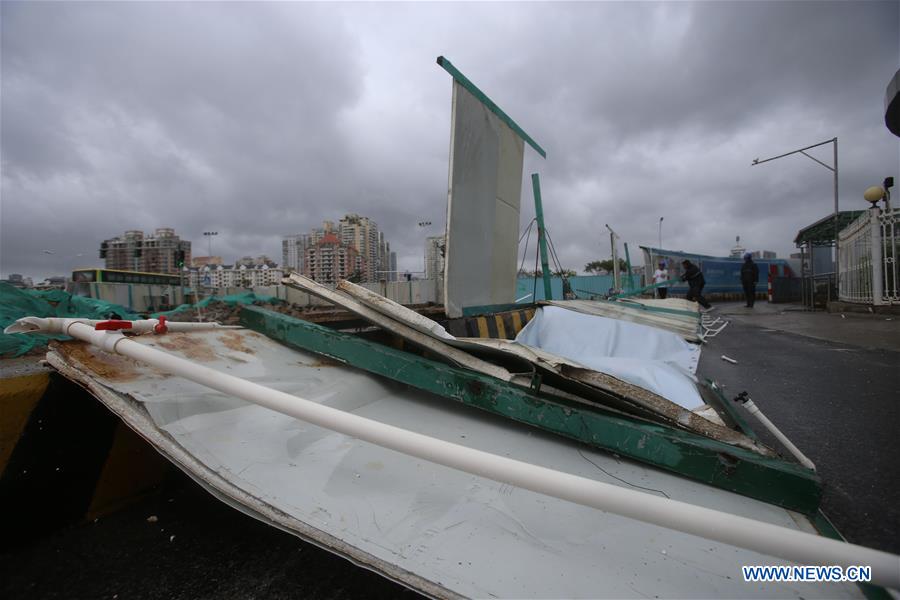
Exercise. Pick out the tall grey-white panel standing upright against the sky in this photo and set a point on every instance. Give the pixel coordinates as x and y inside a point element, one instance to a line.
<point>482,208</point>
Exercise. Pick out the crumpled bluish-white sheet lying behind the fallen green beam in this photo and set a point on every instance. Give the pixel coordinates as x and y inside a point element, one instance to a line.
<point>656,360</point>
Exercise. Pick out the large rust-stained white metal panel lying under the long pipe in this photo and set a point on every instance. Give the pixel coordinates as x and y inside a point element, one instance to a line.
<point>437,529</point>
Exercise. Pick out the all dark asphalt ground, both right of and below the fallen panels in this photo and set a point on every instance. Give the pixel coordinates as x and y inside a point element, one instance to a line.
<point>838,403</point>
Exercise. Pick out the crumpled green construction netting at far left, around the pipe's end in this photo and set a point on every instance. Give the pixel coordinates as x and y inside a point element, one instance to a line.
<point>16,303</point>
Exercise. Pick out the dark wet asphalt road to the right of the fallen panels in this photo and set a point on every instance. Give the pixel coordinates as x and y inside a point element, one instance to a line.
<point>839,404</point>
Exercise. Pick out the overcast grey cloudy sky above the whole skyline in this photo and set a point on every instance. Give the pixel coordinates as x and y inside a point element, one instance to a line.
<point>259,120</point>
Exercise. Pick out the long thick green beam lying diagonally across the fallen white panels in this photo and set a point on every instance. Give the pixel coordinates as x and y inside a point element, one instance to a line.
<point>703,459</point>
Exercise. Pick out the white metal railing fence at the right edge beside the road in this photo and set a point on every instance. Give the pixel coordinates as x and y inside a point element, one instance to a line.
<point>869,258</point>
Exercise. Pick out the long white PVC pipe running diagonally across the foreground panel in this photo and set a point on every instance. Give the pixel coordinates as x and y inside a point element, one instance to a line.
<point>765,538</point>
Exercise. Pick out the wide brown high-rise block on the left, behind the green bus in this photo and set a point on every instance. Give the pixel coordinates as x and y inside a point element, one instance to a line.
<point>155,253</point>
